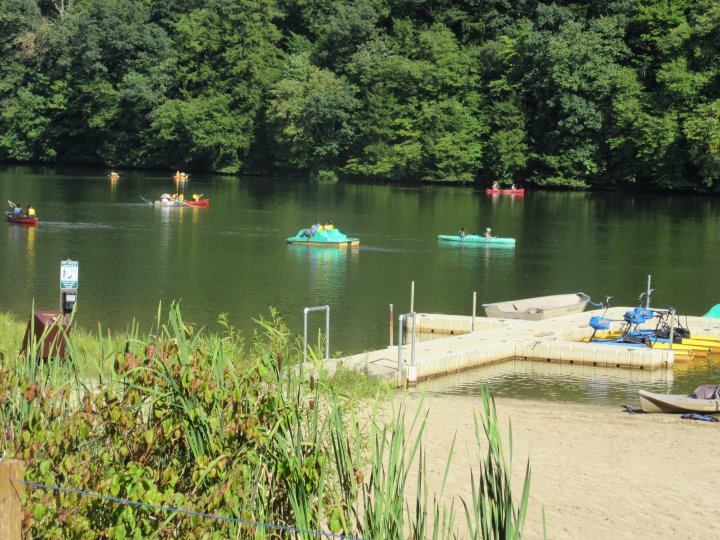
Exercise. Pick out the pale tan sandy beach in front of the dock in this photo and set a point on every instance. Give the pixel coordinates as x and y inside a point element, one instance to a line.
<point>597,471</point>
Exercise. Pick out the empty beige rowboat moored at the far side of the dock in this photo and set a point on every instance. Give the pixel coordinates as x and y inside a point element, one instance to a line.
<point>539,308</point>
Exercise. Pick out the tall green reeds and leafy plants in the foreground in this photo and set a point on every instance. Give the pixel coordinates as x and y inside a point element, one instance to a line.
<point>181,417</point>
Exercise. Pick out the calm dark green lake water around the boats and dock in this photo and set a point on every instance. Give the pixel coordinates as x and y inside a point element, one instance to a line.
<point>232,258</point>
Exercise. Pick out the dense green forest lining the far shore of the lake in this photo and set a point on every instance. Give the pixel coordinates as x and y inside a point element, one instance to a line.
<point>621,93</point>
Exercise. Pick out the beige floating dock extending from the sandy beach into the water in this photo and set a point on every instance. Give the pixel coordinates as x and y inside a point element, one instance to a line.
<point>496,340</point>
